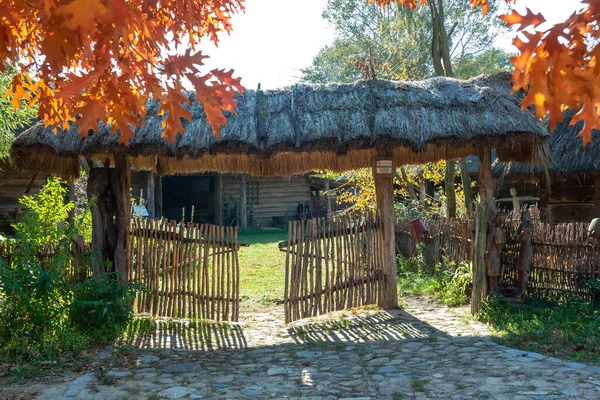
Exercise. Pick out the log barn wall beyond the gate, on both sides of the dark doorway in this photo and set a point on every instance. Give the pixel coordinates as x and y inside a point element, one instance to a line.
<point>268,199</point>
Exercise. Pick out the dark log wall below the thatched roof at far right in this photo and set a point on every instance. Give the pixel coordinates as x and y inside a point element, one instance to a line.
<point>574,198</point>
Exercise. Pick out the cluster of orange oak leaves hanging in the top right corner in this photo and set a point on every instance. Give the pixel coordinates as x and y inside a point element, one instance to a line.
<point>558,67</point>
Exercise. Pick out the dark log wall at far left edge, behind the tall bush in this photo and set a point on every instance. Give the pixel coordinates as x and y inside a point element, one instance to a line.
<point>14,185</point>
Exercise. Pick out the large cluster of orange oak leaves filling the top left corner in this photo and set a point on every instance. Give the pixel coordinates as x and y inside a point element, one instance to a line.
<point>102,59</point>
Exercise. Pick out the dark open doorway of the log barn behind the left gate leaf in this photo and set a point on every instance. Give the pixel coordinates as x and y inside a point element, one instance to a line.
<point>181,192</point>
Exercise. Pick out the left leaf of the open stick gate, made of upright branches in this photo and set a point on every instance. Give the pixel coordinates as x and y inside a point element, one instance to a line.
<point>185,270</point>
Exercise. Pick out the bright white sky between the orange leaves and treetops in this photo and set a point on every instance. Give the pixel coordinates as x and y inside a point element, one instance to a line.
<point>274,39</point>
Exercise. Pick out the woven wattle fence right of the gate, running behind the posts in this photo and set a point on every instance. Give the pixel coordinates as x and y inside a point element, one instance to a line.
<point>564,257</point>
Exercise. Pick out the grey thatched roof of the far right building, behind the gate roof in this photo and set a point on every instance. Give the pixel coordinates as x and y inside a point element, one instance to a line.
<point>568,156</point>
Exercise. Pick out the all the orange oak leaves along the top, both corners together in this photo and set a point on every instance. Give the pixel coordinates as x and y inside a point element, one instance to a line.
<point>102,59</point>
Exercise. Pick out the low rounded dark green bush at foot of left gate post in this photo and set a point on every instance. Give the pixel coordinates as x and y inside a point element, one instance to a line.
<point>101,303</point>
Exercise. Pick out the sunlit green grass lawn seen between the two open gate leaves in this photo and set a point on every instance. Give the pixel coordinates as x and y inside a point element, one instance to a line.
<point>262,268</point>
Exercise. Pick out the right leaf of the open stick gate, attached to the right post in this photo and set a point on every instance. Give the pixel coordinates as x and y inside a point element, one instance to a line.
<point>332,265</point>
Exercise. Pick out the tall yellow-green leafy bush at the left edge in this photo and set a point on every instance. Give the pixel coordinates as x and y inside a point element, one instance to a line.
<point>33,286</point>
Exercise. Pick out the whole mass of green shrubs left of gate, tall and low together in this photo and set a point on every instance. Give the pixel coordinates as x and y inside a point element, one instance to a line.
<point>45,315</point>
